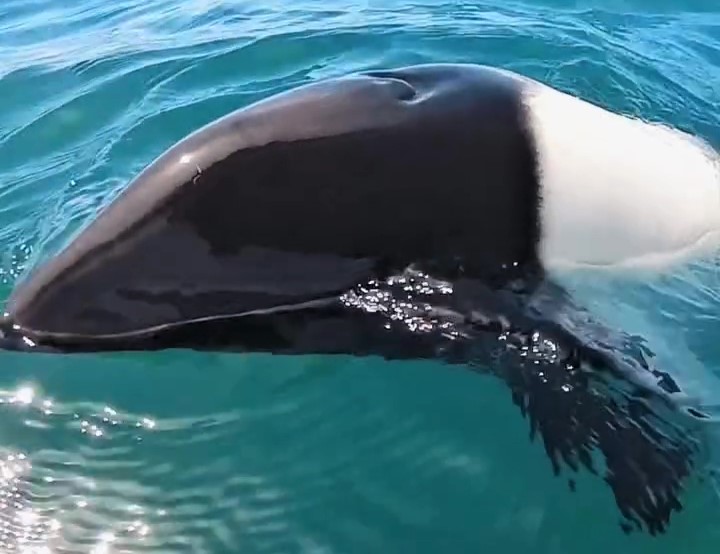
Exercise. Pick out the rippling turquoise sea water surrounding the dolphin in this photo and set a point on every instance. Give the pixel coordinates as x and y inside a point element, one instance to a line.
<point>189,452</point>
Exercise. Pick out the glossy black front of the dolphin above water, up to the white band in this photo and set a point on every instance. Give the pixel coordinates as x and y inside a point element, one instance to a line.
<point>299,198</point>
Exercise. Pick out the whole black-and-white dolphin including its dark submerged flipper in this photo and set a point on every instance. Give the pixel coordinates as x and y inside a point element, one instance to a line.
<point>414,213</point>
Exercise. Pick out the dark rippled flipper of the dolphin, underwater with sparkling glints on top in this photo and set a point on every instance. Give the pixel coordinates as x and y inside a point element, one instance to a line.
<point>589,393</point>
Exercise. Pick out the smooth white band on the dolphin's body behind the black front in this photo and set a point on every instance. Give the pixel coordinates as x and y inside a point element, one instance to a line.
<point>619,192</point>
